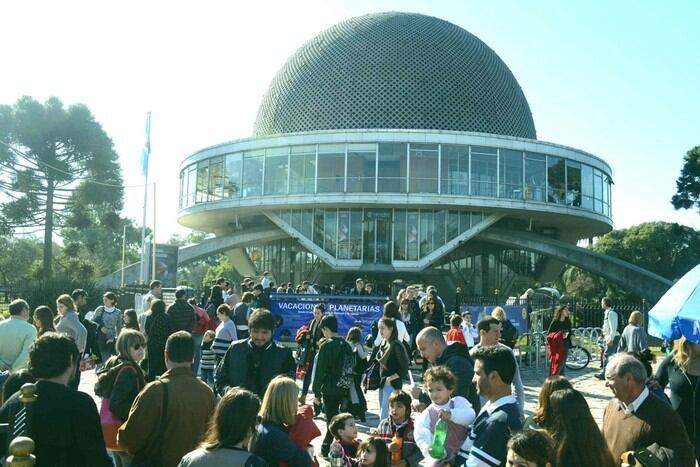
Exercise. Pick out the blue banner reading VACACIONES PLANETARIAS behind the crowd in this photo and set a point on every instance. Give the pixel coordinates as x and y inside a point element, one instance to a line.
<point>293,311</point>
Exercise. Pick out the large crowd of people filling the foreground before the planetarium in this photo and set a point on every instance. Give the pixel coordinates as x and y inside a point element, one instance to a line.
<point>201,382</point>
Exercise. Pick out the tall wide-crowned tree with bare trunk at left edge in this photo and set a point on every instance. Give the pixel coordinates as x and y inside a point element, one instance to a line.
<point>58,166</point>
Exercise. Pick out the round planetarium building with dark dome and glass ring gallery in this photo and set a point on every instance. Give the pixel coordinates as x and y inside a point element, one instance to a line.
<point>395,146</point>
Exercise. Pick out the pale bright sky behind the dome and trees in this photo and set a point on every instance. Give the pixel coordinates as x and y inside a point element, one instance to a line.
<point>618,79</point>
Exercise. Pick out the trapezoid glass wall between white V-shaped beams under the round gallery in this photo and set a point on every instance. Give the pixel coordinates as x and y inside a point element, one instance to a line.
<point>377,235</point>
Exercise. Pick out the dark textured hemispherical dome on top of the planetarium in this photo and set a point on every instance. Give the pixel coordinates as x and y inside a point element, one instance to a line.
<point>395,71</point>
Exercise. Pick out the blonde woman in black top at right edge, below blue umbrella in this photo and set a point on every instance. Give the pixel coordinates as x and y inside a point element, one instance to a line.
<point>681,372</point>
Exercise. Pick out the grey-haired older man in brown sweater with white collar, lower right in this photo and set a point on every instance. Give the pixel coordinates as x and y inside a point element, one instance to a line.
<point>636,419</point>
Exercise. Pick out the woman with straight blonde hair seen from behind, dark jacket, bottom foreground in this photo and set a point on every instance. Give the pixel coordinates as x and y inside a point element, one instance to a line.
<point>278,415</point>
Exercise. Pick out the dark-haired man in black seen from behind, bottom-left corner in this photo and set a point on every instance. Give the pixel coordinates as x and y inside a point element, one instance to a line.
<point>65,425</point>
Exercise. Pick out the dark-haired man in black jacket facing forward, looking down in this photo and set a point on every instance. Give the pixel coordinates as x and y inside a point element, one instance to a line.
<point>252,363</point>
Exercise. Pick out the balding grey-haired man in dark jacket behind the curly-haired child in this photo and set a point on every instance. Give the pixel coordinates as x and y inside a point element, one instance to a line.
<point>432,347</point>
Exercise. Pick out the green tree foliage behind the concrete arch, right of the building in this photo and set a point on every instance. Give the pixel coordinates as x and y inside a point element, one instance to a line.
<point>667,249</point>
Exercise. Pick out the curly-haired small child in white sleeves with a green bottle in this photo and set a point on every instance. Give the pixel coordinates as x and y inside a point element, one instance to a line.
<point>456,411</point>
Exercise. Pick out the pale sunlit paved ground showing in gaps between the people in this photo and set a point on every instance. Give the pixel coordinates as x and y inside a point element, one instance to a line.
<point>593,389</point>
